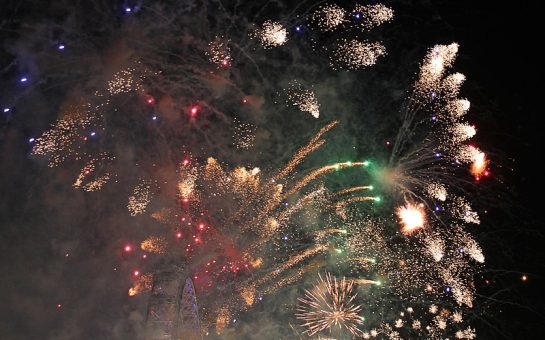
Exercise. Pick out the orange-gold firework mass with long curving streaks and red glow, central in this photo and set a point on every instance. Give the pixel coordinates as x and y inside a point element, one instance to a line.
<point>249,211</point>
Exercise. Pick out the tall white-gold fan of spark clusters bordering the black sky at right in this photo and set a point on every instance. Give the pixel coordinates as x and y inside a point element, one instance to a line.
<point>423,168</point>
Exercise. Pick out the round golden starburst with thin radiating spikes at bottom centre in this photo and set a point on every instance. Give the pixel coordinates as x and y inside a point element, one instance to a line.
<point>330,303</point>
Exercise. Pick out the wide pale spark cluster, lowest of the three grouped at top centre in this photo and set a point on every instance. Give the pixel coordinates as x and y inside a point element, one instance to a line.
<point>354,54</point>
